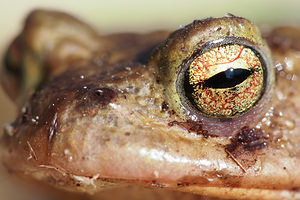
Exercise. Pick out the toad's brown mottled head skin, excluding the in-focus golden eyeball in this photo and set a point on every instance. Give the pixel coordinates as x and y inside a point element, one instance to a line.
<point>106,113</point>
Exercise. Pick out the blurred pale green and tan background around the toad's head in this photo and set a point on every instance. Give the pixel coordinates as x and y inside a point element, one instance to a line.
<point>130,16</point>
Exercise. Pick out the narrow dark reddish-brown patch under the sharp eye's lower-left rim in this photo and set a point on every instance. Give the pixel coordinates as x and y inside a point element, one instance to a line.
<point>191,126</point>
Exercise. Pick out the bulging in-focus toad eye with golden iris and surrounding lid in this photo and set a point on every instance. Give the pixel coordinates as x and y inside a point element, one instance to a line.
<point>217,72</point>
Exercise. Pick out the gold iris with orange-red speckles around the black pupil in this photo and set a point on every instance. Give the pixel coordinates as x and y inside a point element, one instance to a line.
<point>226,102</point>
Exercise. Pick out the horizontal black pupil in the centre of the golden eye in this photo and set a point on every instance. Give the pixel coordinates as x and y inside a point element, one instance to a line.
<point>227,79</point>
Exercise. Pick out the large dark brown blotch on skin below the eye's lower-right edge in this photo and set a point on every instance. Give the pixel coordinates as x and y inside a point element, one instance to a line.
<point>245,146</point>
